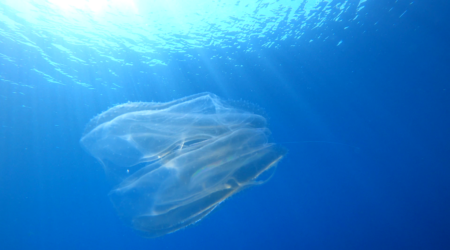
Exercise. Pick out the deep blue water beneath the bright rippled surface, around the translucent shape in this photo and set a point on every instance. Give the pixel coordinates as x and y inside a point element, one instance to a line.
<point>380,180</point>
